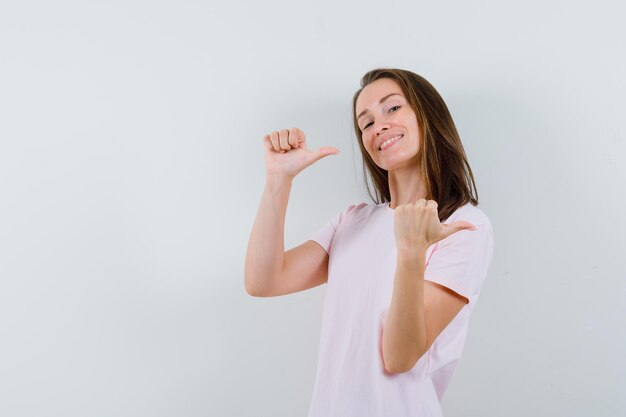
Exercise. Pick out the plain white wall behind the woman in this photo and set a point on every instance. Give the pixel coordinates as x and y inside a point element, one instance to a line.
<point>131,168</point>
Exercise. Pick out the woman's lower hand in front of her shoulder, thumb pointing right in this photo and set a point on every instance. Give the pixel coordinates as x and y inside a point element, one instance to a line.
<point>417,225</point>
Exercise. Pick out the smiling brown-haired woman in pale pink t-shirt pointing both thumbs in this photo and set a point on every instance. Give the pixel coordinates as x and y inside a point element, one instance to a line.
<point>403,274</point>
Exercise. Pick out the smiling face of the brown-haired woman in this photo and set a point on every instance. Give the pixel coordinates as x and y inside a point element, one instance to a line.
<point>384,113</point>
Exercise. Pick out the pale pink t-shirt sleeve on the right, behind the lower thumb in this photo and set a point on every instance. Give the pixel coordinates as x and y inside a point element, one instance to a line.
<point>461,261</point>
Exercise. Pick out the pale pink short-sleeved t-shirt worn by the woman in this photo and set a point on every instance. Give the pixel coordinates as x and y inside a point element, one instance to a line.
<point>351,380</point>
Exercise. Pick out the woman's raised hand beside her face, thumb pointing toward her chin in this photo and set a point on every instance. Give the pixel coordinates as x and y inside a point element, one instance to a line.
<point>286,152</point>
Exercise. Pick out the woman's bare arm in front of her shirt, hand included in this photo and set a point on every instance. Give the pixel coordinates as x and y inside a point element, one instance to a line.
<point>419,311</point>
